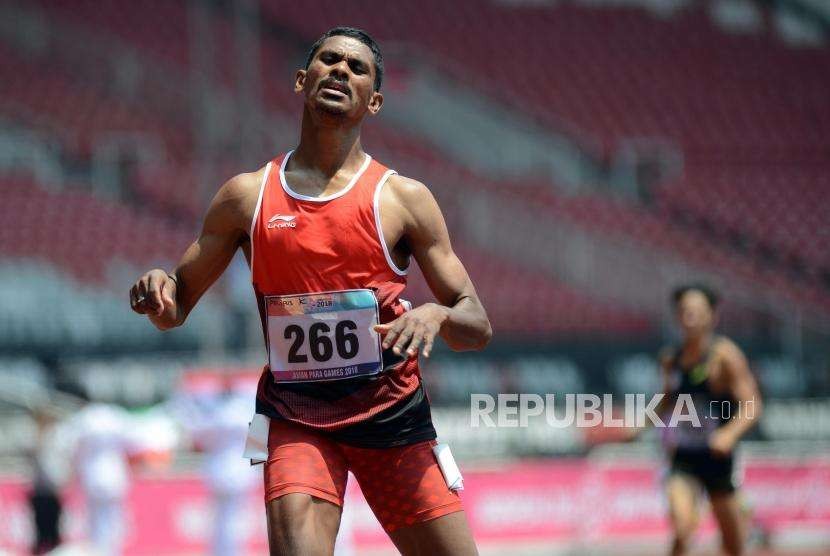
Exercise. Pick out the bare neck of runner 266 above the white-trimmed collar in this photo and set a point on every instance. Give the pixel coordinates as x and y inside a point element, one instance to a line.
<point>327,148</point>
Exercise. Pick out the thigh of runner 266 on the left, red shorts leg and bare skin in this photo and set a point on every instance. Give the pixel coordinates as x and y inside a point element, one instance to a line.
<point>305,480</point>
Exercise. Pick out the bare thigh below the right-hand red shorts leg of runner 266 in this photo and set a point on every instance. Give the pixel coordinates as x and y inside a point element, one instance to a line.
<point>448,535</point>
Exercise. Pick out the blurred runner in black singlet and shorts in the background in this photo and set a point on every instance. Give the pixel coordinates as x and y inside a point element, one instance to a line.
<point>713,371</point>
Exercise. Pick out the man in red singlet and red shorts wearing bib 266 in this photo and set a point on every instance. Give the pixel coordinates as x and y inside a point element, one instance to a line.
<point>328,233</point>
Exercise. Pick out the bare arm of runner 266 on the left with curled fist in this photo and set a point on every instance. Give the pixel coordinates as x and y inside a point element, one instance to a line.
<point>167,299</point>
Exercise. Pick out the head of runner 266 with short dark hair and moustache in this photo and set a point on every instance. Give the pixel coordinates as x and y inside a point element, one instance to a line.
<point>340,79</point>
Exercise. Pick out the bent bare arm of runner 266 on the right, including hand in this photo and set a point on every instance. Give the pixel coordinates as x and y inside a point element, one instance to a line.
<point>458,317</point>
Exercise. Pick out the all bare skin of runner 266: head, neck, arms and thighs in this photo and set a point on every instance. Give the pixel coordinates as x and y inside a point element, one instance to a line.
<point>338,91</point>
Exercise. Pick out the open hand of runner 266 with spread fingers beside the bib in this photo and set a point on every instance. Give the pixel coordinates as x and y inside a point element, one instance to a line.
<point>413,328</point>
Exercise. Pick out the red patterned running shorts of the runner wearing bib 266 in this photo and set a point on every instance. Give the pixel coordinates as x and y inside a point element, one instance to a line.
<point>403,485</point>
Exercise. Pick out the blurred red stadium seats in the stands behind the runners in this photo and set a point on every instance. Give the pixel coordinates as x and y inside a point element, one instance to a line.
<point>748,208</point>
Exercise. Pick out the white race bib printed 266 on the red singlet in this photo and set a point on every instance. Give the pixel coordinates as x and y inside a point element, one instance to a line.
<point>323,336</point>
